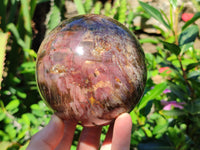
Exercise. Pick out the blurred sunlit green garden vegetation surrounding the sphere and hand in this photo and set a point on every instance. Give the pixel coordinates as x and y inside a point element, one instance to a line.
<point>168,115</point>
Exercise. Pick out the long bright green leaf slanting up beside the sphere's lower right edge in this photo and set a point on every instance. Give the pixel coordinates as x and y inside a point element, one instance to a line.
<point>152,94</point>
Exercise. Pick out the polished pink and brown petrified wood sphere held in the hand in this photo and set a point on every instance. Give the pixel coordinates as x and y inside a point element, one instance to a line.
<point>90,69</point>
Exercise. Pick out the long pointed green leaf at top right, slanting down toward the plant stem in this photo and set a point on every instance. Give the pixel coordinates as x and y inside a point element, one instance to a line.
<point>154,13</point>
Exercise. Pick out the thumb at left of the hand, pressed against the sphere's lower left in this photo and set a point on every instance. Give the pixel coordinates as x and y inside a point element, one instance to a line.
<point>49,137</point>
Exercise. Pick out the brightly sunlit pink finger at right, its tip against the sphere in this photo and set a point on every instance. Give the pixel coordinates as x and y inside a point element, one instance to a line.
<point>122,132</point>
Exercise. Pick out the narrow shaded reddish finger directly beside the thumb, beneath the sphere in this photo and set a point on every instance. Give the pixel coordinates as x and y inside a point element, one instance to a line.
<point>66,141</point>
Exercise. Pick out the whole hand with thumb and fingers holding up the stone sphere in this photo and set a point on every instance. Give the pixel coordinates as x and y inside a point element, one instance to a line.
<point>59,135</point>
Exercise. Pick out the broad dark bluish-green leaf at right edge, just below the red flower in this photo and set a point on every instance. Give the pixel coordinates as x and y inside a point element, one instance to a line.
<point>188,35</point>
